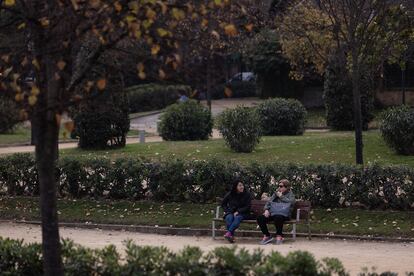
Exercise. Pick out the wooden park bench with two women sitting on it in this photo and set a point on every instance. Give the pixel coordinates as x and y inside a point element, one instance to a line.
<point>300,215</point>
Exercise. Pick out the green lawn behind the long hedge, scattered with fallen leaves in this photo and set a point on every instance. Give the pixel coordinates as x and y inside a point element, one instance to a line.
<point>319,147</point>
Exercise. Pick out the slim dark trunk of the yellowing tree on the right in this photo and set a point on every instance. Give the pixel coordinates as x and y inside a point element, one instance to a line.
<point>357,109</point>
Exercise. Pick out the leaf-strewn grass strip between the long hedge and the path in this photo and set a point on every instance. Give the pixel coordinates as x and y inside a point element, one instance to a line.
<point>337,221</point>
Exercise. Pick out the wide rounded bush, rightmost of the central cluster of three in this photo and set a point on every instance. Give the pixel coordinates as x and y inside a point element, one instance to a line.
<point>282,117</point>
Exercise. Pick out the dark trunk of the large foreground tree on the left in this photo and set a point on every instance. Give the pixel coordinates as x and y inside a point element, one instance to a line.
<point>46,157</point>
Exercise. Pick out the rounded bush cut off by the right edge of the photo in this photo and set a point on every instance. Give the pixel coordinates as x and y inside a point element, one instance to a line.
<point>397,129</point>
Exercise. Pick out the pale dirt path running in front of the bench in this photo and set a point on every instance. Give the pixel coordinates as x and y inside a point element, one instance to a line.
<point>396,257</point>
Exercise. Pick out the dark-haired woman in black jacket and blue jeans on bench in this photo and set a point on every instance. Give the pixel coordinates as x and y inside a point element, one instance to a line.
<point>236,206</point>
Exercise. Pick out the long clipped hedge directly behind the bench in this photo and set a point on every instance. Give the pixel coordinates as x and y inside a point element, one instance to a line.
<point>331,185</point>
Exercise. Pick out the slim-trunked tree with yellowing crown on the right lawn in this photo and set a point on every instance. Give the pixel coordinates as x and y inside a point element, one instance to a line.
<point>363,32</point>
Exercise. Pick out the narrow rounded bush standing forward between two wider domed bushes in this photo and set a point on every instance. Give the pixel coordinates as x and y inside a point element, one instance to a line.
<point>240,128</point>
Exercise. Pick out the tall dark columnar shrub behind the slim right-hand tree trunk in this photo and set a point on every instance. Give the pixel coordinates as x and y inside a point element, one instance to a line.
<point>339,100</point>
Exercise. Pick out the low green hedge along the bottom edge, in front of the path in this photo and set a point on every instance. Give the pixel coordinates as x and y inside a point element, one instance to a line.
<point>17,258</point>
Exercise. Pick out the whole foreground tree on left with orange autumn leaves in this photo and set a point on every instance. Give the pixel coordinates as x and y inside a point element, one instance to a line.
<point>57,56</point>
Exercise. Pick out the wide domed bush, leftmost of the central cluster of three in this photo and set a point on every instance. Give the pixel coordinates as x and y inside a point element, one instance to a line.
<point>185,121</point>
